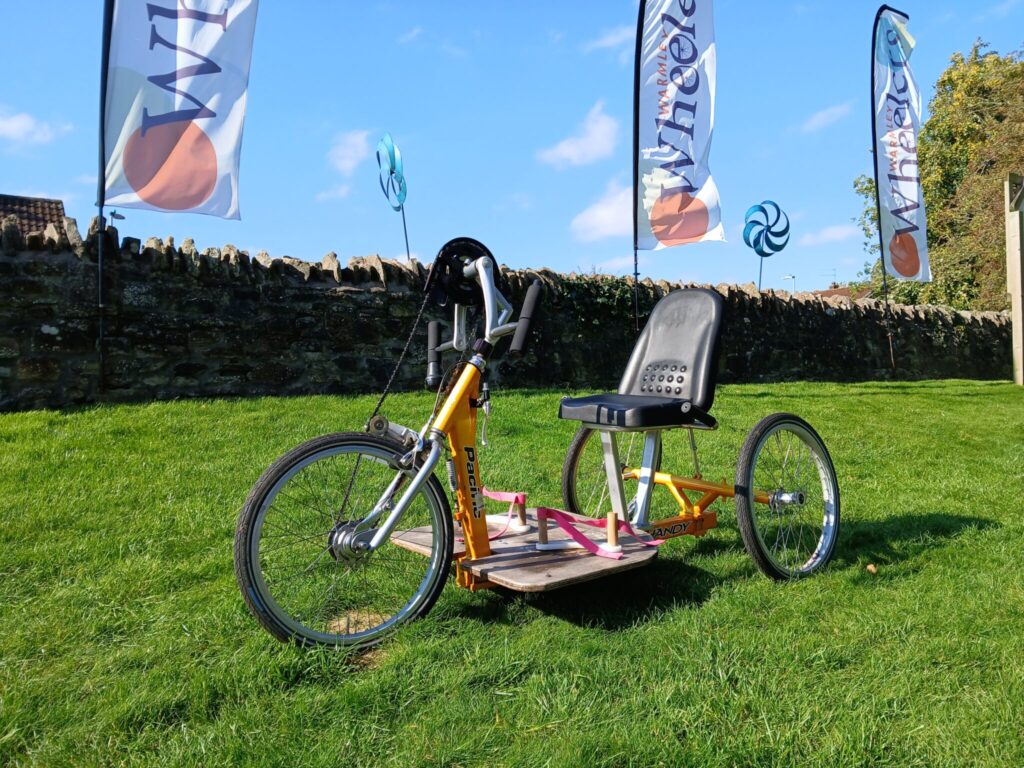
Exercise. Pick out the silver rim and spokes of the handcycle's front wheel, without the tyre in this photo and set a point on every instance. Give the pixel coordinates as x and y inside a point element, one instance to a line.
<point>346,607</point>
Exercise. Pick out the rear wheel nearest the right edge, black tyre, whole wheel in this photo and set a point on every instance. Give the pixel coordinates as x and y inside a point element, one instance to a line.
<point>787,498</point>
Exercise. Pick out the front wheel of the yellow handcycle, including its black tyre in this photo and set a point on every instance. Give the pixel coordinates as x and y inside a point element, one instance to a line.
<point>295,575</point>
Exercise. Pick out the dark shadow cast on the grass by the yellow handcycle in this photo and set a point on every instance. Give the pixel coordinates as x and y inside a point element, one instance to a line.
<point>635,598</point>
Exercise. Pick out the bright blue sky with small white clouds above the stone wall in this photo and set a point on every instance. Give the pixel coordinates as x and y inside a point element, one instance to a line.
<point>516,122</point>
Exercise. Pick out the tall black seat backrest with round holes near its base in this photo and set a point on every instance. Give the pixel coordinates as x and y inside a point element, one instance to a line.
<point>677,354</point>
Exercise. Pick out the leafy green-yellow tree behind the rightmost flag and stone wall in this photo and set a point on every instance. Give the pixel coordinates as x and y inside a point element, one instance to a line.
<point>973,138</point>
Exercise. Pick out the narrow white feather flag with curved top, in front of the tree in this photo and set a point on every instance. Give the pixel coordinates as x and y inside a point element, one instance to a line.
<point>903,227</point>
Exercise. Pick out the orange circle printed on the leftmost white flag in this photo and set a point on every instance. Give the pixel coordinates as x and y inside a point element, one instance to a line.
<point>174,166</point>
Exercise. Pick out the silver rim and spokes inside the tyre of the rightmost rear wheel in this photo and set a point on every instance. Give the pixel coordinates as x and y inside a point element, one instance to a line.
<point>797,530</point>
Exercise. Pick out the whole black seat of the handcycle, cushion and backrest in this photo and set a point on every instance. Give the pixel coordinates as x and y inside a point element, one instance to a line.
<point>670,379</point>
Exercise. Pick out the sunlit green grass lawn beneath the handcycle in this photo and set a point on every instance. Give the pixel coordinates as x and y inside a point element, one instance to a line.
<point>124,641</point>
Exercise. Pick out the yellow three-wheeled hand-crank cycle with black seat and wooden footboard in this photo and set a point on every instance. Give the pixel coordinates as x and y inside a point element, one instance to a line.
<point>350,536</point>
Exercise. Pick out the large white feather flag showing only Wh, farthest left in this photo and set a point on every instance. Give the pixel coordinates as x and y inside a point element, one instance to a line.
<point>176,83</point>
